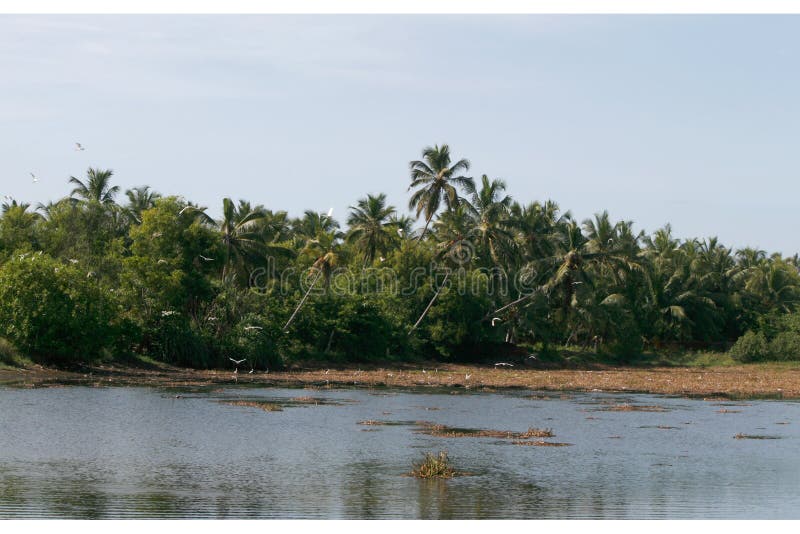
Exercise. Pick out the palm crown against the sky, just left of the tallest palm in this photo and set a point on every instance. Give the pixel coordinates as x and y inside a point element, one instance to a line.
<point>371,229</point>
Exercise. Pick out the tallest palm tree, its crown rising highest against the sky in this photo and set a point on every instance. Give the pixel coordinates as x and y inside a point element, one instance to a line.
<point>435,181</point>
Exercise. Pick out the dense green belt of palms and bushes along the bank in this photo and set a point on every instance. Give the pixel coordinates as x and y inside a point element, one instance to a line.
<point>483,276</point>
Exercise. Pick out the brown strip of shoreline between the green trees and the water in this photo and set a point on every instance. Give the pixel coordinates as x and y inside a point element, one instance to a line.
<point>755,380</point>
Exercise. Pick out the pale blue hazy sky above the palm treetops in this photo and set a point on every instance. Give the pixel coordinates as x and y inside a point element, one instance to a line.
<point>691,120</point>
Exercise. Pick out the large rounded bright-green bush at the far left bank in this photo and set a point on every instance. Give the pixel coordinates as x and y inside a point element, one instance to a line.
<point>53,312</point>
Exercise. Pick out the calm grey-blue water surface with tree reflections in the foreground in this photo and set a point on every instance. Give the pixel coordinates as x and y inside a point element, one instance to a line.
<point>124,452</point>
